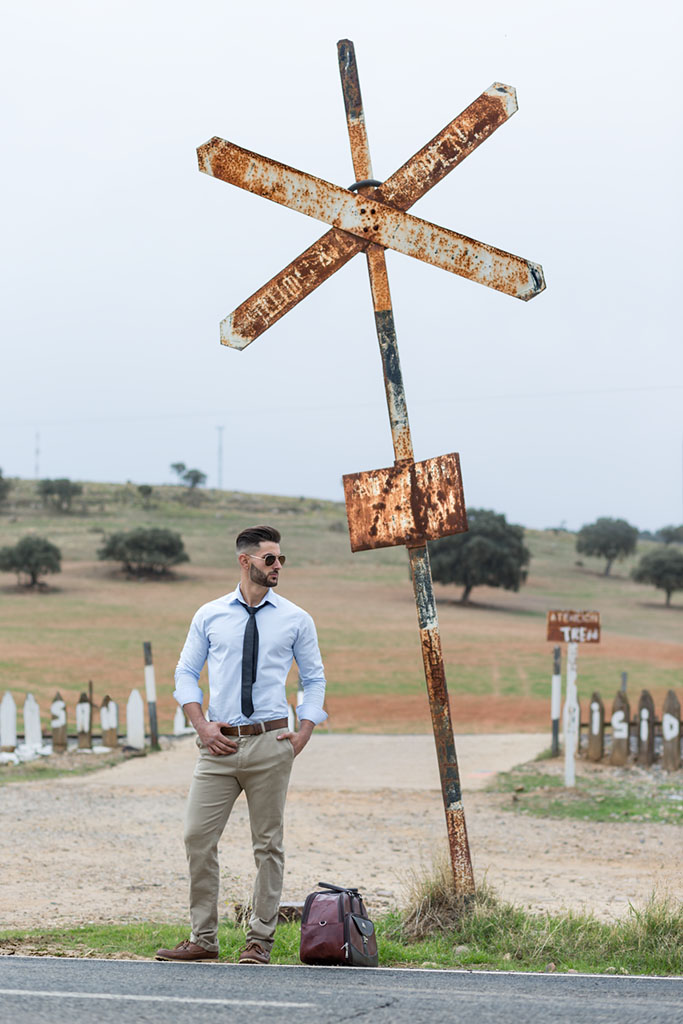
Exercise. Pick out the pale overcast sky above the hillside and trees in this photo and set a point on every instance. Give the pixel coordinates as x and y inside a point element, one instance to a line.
<point>120,260</point>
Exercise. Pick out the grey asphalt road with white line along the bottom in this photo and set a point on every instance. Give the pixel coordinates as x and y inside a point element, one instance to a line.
<point>56,991</point>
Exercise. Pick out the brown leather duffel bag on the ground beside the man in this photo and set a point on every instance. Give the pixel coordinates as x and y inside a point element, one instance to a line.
<point>336,929</point>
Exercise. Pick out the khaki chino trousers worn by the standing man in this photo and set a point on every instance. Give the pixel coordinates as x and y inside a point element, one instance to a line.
<point>262,767</point>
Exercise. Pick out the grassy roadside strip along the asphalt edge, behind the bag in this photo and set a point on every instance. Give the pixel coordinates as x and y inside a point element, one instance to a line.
<point>489,934</point>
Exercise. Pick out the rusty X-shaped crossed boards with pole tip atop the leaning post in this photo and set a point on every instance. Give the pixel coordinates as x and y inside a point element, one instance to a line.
<point>376,216</point>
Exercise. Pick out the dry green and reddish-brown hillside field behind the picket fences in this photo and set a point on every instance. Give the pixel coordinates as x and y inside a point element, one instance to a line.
<point>91,622</point>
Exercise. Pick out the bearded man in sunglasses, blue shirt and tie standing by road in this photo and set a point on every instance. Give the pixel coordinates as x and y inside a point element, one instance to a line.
<point>249,639</point>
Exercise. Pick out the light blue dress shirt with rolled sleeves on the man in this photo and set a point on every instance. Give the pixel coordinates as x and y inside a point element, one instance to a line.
<point>285,633</point>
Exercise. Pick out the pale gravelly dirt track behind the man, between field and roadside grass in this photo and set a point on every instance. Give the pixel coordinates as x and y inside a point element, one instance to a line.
<point>363,809</point>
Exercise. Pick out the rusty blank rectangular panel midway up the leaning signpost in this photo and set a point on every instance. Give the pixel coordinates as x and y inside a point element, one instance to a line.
<point>406,504</point>
